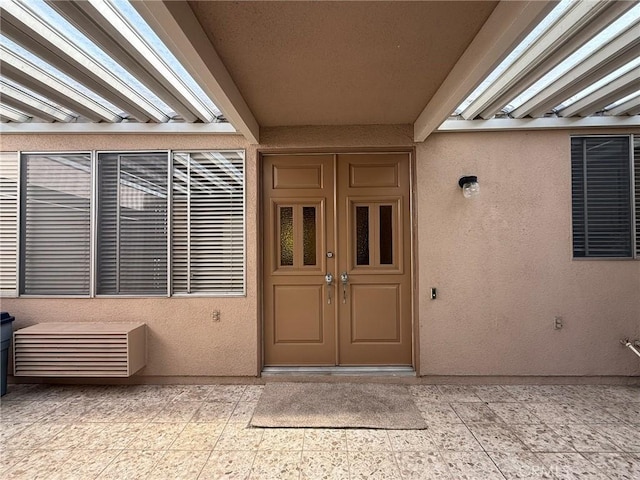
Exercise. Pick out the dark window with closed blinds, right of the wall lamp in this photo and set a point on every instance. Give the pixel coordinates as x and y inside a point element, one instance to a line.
<point>604,213</point>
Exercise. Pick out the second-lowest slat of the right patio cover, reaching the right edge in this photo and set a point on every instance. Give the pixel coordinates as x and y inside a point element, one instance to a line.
<point>606,95</point>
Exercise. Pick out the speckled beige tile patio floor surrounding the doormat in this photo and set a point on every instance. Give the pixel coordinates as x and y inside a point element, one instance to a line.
<point>201,432</point>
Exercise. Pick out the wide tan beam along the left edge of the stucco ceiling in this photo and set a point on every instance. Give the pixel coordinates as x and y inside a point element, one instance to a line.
<point>179,29</point>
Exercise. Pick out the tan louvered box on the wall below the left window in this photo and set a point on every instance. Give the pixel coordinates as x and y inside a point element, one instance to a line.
<point>79,350</point>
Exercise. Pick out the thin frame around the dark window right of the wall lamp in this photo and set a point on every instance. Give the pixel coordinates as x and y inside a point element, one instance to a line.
<point>633,165</point>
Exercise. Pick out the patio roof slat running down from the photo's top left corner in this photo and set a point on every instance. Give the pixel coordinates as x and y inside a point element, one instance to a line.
<point>34,34</point>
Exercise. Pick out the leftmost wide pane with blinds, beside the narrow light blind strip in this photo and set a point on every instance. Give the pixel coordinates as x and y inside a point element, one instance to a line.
<point>56,228</point>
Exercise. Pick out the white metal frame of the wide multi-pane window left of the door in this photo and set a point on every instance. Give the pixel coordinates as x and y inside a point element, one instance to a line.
<point>94,227</point>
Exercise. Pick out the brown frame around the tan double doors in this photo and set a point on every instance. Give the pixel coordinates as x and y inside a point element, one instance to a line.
<point>412,214</point>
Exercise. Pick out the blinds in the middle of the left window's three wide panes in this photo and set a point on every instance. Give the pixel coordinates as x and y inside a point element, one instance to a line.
<point>132,224</point>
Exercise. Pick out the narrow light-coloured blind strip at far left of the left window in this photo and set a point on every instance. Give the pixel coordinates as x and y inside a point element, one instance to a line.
<point>8,223</point>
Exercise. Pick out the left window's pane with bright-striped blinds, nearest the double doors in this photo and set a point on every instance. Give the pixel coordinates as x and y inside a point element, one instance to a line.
<point>208,223</point>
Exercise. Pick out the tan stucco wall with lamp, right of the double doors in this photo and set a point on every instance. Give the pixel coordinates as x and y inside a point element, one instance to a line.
<point>502,264</point>
